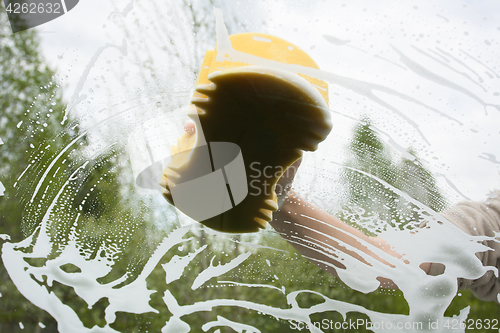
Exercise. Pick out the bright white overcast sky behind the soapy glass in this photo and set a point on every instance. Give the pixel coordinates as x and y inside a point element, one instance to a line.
<point>426,72</point>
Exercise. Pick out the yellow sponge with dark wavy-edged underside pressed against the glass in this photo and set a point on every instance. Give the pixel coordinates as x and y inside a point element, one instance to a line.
<point>270,114</point>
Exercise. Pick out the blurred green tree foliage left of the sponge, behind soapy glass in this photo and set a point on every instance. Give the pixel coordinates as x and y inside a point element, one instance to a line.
<point>39,155</point>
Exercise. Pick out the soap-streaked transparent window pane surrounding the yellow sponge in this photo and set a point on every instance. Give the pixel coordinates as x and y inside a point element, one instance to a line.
<point>393,223</point>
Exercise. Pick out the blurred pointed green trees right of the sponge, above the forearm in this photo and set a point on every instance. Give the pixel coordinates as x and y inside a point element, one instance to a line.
<point>376,184</point>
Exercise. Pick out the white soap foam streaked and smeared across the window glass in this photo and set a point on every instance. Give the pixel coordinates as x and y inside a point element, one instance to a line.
<point>427,296</point>
